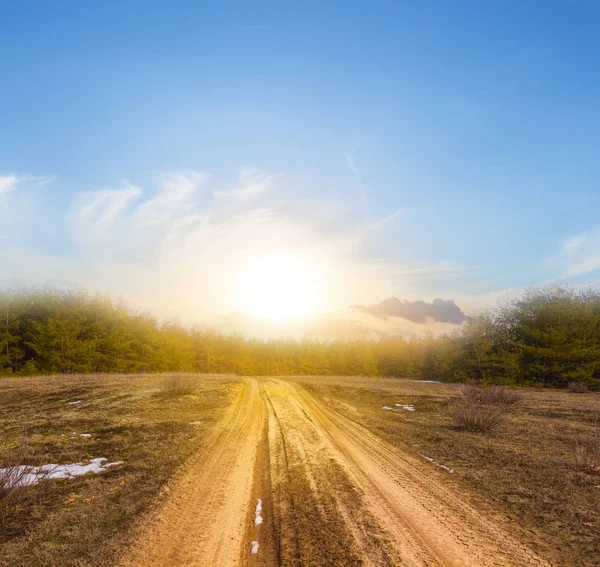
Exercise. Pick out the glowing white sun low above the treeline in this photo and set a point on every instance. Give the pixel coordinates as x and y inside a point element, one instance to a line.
<point>279,286</point>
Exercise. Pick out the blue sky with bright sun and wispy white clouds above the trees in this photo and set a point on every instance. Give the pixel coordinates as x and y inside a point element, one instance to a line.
<point>250,164</point>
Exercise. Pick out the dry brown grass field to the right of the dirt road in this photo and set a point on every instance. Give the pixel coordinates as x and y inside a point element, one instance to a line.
<point>524,471</point>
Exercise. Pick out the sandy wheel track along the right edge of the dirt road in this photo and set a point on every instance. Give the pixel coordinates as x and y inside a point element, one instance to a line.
<point>429,524</point>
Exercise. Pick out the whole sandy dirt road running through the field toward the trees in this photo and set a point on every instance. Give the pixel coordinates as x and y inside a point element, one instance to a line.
<point>286,480</point>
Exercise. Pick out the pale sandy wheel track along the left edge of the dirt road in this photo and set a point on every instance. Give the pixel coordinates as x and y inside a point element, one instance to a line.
<point>203,520</point>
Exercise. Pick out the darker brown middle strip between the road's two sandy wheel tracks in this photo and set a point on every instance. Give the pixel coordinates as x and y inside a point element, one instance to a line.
<point>331,526</point>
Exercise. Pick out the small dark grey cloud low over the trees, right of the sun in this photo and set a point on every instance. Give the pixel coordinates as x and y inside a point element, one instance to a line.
<point>440,310</point>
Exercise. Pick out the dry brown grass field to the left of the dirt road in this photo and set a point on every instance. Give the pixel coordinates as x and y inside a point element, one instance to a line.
<point>87,521</point>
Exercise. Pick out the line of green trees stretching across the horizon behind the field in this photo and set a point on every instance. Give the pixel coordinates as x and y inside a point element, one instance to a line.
<point>550,336</point>
